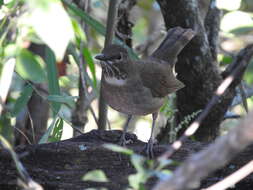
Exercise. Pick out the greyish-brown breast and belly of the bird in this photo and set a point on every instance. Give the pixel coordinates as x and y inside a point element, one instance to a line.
<point>130,97</point>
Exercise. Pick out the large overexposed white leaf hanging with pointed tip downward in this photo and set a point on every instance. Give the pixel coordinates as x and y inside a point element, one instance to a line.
<point>52,24</point>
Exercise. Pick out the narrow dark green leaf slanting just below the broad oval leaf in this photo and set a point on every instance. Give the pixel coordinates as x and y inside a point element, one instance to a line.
<point>22,100</point>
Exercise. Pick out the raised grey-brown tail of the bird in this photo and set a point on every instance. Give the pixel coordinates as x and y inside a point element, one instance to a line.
<point>175,40</point>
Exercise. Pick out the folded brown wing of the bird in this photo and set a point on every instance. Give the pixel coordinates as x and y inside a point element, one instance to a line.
<point>165,80</point>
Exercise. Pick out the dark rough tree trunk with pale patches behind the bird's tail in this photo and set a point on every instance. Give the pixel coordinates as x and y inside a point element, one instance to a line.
<point>197,67</point>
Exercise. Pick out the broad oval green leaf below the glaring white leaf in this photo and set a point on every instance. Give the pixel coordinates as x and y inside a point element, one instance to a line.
<point>28,66</point>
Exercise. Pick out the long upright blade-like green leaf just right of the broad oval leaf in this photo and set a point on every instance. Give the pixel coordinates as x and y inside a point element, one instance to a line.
<point>52,75</point>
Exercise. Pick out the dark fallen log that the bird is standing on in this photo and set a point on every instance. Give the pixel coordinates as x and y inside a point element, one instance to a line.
<point>61,165</point>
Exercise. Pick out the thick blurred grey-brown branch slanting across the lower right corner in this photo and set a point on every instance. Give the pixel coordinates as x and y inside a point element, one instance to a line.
<point>198,166</point>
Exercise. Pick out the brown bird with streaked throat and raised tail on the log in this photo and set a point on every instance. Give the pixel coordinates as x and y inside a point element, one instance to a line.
<point>141,87</point>
